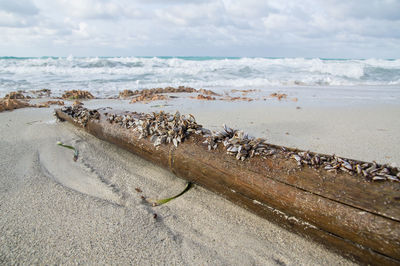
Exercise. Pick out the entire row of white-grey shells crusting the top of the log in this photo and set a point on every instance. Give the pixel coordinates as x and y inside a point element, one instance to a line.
<point>165,128</point>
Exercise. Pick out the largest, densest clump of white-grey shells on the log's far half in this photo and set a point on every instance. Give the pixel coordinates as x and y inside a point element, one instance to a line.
<point>161,127</point>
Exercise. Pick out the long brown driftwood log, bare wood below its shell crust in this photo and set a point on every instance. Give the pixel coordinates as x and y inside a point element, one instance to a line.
<point>352,216</point>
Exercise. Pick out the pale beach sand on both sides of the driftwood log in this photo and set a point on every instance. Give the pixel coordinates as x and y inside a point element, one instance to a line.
<point>55,210</point>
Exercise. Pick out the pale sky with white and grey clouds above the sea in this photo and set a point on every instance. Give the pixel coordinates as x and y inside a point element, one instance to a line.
<point>253,28</point>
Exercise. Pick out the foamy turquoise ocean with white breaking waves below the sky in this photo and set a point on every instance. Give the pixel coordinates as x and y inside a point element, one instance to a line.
<point>362,79</point>
